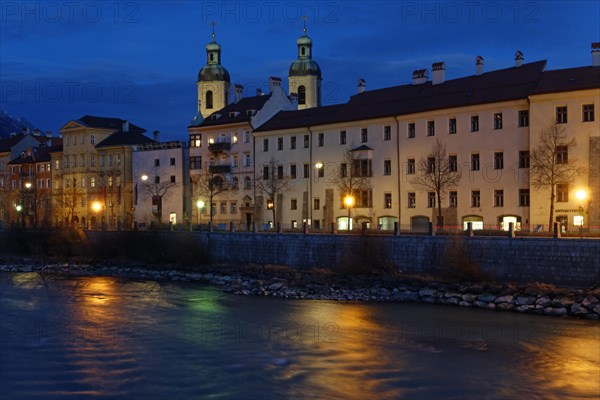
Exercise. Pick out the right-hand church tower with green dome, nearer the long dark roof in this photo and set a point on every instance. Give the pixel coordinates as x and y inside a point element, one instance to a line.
<point>305,75</point>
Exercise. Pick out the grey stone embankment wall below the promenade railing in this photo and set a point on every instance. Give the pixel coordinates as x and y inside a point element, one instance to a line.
<point>562,262</point>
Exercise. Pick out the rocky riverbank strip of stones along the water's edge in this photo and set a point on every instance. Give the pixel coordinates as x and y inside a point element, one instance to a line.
<point>321,284</point>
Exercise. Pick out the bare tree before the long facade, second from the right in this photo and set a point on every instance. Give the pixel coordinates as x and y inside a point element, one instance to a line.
<point>437,173</point>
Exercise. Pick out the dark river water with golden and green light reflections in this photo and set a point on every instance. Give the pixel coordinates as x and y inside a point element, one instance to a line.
<point>106,338</point>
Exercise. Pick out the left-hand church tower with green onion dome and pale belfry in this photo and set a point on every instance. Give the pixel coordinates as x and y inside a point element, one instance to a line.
<point>213,81</point>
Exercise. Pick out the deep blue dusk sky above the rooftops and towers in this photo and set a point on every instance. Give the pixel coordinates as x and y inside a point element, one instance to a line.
<point>139,60</point>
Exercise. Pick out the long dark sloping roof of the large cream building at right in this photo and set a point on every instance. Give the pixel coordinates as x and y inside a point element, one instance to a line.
<point>495,86</point>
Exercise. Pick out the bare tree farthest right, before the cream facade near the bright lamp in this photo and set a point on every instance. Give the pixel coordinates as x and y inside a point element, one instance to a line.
<point>550,163</point>
